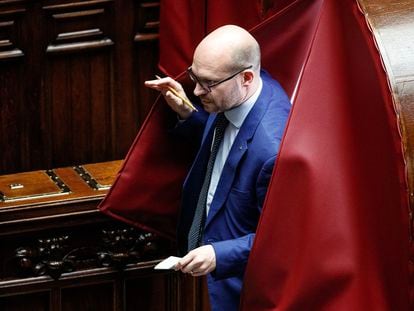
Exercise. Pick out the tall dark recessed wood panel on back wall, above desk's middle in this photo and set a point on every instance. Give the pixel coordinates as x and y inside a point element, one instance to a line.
<point>79,108</point>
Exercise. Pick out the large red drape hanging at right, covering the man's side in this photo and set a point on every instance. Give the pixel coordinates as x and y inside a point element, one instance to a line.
<point>334,230</point>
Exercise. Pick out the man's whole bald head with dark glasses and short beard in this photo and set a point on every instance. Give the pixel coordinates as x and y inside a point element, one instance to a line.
<point>226,68</point>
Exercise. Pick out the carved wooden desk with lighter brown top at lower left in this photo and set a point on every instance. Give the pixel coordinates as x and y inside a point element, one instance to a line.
<point>58,252</point>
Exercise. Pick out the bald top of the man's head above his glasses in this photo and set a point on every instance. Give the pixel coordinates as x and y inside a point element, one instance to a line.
<point>230,45</point>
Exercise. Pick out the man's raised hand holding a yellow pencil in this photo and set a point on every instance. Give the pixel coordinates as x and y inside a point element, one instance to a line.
<point>173,101</point>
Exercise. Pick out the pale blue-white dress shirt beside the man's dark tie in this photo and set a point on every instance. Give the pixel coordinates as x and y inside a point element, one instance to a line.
<point>236,117</point>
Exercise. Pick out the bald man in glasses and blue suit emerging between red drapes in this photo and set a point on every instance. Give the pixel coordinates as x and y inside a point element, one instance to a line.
<point>228,79</point>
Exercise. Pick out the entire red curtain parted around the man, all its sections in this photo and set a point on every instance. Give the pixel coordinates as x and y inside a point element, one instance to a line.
<point>334,230</point>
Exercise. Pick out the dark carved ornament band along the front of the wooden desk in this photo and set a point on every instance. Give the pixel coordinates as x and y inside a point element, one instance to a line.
<point>117,247</point>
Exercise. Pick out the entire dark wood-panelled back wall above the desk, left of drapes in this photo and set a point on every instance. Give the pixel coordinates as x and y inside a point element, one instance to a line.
<point>72,80</point>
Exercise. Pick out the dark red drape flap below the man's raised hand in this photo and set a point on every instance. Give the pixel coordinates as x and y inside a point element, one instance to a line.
<point>146,192</point>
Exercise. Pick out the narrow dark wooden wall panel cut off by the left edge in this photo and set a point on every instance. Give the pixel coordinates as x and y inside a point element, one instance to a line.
<point>12,120</point>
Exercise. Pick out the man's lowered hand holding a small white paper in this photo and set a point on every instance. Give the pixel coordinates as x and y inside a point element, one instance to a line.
<point>198,262</point>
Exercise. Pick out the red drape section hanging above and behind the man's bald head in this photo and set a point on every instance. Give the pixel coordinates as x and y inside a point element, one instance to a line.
<point>185,22</point>
